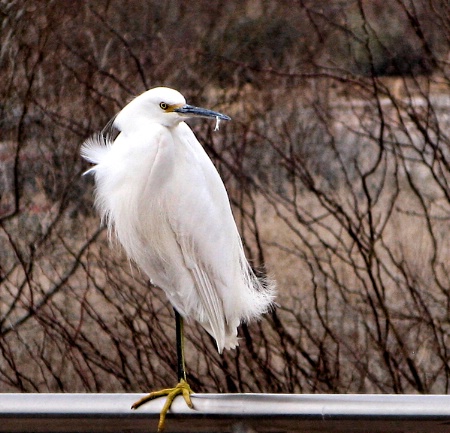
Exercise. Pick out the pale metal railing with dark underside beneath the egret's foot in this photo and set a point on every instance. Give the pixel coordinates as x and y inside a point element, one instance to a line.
<point>236,413</point>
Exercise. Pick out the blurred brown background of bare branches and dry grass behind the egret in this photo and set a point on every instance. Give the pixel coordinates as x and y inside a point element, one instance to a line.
<point>337,163</point>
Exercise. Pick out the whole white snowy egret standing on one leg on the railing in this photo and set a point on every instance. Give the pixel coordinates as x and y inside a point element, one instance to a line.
<point>160,194</point>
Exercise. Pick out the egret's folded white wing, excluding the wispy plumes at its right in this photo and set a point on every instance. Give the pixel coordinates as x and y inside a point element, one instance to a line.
<point>201,220</point>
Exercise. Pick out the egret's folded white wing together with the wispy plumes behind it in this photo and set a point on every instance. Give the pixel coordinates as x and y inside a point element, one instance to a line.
<point>225,285</point>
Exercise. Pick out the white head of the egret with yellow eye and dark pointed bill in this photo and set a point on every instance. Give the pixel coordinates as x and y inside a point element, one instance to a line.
<point>160,105</point>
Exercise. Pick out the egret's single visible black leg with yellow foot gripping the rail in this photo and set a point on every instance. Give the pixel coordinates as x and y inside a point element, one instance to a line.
<point>182,387</point>
